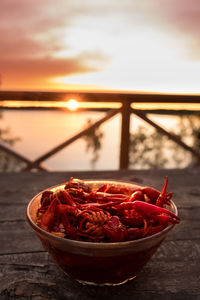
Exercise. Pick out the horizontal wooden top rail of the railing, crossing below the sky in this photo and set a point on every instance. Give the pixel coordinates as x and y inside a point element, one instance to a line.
<point>99,96</point>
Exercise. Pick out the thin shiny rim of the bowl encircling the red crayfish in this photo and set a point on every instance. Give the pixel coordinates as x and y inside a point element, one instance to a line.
<point>99,245</point>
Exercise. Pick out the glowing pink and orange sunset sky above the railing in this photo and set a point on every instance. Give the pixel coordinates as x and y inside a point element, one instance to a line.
<point>135,45</point>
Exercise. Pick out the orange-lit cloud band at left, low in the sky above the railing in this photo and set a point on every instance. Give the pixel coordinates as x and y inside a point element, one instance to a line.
<point>35,72</point>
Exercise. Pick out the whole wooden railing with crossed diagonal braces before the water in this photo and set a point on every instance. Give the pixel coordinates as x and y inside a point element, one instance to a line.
<point>125,99</point>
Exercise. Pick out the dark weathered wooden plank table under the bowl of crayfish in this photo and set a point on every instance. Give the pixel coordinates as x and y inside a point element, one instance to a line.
<point>27,272</point>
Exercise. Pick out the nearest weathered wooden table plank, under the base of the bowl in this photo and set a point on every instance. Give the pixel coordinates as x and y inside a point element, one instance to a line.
<point>35,274</point>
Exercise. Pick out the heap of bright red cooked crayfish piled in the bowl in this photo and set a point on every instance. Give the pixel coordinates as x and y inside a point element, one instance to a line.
<point>108,214</point>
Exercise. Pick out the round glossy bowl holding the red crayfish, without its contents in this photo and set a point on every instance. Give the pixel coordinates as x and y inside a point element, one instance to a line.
<point>97,263</point>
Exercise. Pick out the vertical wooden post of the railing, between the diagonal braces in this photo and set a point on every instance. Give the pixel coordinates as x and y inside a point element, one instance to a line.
<point>125,134</point>
